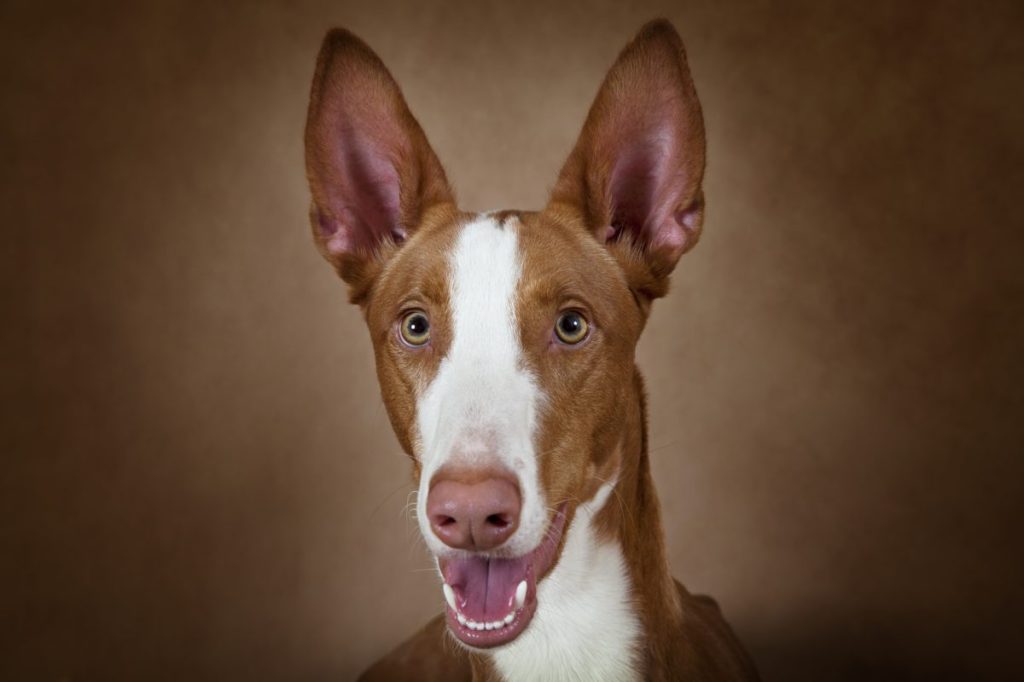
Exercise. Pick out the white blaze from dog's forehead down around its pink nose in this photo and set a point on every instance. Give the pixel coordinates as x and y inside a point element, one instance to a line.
<point>481,409</point>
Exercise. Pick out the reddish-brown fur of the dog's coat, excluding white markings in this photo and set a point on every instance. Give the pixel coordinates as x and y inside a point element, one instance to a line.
<point>593,429</point>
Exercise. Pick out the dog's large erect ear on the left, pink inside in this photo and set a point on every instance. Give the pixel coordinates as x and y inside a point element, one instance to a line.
<point>371,169</point>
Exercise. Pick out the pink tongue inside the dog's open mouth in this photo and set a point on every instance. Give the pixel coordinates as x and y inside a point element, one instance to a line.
<point>486,588</point>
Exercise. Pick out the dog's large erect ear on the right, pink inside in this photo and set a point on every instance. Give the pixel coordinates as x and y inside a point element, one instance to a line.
<point>636,170</point>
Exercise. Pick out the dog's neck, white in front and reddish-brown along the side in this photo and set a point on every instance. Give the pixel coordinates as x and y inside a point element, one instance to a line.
<point>610,610</point>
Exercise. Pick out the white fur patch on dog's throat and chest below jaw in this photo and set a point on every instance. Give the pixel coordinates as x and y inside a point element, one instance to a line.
<point>585,628</point>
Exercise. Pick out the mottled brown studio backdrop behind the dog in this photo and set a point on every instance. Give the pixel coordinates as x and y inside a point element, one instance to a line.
<point>199,481</point>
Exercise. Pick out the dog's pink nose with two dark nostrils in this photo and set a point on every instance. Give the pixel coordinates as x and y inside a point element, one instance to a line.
<point>472,510</point>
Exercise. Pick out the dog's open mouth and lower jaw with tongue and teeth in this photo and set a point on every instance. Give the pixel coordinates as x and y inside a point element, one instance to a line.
<point>492,601</point>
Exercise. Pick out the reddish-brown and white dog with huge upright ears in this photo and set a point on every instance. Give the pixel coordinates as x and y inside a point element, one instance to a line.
<point>504,346</point>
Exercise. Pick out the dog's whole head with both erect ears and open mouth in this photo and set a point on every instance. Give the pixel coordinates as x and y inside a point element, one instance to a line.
<point>504,342</point>
